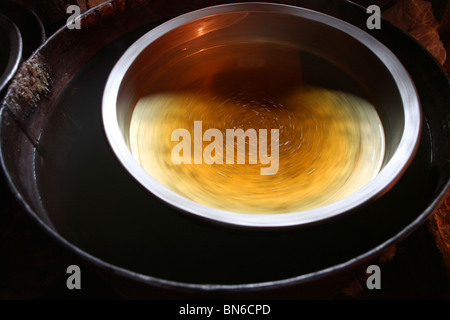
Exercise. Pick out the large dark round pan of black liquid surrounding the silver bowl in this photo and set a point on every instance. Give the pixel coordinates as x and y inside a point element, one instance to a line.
<point>60,167</point>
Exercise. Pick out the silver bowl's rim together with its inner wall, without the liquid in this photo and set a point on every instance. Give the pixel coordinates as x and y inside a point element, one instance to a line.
<point>386,82</point>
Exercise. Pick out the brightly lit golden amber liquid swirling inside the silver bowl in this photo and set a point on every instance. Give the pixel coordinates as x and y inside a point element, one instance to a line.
<point>330,143</point>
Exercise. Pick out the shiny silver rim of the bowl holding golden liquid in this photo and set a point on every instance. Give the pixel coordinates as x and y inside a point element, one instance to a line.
<point>378,186</point>
